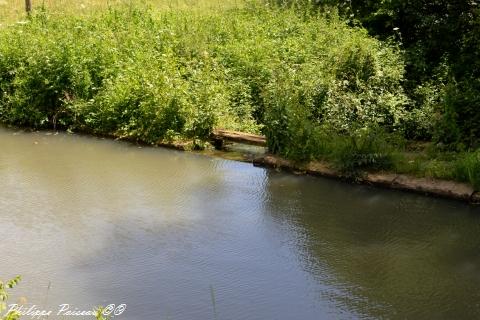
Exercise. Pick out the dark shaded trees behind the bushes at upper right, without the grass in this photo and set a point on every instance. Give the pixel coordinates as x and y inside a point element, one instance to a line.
<point>441,46</point>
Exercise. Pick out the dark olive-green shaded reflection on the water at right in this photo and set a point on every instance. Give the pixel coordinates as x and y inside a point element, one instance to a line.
<point>389,254</point>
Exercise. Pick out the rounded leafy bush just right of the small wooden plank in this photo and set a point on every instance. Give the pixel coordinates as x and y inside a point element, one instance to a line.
<point>346,88</point>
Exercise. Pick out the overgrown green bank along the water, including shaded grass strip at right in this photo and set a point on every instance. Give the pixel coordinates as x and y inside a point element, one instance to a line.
<point>316,87</point>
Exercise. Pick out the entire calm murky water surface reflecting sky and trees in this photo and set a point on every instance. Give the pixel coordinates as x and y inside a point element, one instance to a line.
<point>174,235</point>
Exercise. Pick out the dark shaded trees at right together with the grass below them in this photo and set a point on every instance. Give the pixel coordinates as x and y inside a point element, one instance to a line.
<point>440,46</point>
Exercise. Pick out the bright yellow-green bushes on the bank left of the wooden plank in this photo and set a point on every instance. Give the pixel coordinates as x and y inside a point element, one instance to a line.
<point>120,73</point>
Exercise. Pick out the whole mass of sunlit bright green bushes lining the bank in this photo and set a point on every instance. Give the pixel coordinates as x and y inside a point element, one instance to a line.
<point>129,72</point>
